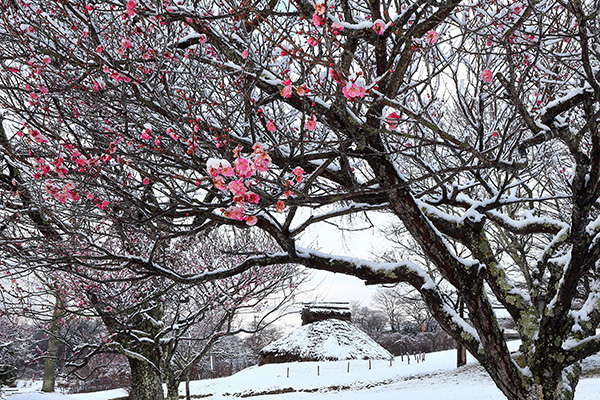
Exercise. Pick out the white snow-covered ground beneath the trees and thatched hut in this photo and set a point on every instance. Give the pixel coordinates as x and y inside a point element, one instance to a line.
<point>434,378</point>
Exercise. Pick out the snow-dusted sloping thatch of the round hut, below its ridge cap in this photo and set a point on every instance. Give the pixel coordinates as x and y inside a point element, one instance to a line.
<point>330,340</point>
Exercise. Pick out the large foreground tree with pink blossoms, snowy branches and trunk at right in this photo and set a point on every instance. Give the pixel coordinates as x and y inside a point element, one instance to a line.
<point>464,123</point>
